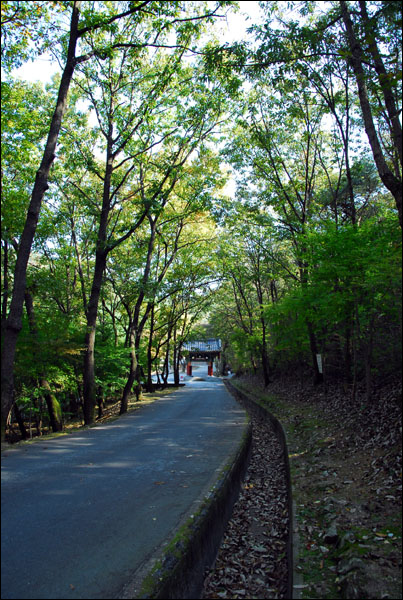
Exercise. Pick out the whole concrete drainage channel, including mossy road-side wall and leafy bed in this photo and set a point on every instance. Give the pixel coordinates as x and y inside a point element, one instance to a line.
<point>263,546</point>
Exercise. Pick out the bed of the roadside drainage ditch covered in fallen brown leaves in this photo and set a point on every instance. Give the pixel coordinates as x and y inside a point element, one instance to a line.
<point>255,559</point>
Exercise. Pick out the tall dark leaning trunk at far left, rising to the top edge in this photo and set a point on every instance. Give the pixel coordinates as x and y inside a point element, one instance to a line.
<point>14,321</point>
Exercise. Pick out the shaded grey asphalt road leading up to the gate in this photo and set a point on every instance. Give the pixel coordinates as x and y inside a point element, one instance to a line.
<point>81,513</point>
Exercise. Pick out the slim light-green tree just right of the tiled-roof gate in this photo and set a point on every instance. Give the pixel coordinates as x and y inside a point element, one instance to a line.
<point>247,268</point>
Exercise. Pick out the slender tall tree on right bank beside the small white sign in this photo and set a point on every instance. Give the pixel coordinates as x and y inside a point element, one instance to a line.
<point>286,168</point>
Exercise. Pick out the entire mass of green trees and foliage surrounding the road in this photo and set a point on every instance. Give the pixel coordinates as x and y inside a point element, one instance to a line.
<point>130,239</point>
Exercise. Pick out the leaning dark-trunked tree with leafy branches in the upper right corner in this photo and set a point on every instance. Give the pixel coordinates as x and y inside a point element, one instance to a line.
<point>319,39</point>
